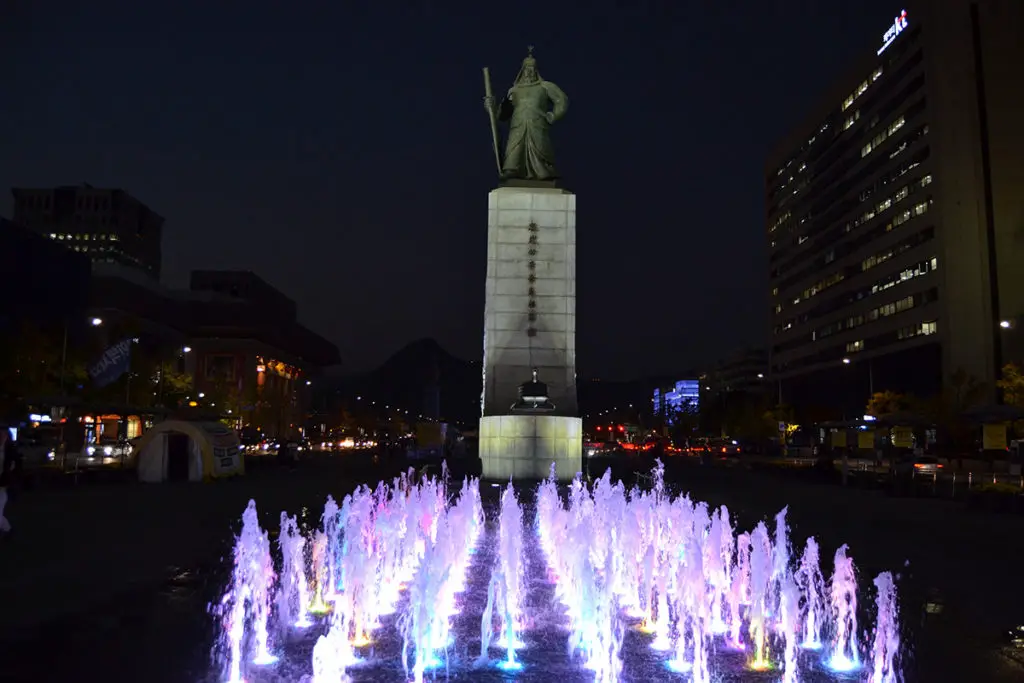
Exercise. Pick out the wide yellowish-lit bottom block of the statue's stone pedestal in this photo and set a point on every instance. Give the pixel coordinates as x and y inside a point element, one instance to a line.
<point>524,447</point>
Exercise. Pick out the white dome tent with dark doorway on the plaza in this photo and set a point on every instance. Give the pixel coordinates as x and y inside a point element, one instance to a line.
<point>181,451</point>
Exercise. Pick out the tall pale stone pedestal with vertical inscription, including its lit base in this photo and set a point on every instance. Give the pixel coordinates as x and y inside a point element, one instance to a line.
<point>530,323</point>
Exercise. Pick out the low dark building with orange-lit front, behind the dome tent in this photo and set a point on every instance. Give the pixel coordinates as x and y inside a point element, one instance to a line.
<point>246,344</point>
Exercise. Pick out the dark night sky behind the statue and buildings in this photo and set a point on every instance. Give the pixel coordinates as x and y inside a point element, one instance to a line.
<point>344,154</point>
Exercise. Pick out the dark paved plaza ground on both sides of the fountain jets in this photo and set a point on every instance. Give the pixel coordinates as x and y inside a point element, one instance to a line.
<point>113,578</point>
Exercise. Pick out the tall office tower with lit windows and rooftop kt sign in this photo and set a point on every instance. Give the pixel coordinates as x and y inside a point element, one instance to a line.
<point>895,215</point>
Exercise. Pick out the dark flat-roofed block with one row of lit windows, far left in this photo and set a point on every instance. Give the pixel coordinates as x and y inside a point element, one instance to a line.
<point>108,226</point>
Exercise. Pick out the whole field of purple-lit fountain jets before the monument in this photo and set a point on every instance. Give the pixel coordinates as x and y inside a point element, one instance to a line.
<point>665,573</point>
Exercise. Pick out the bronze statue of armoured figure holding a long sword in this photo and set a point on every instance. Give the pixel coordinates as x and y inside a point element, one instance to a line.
<point>532,106</point>
